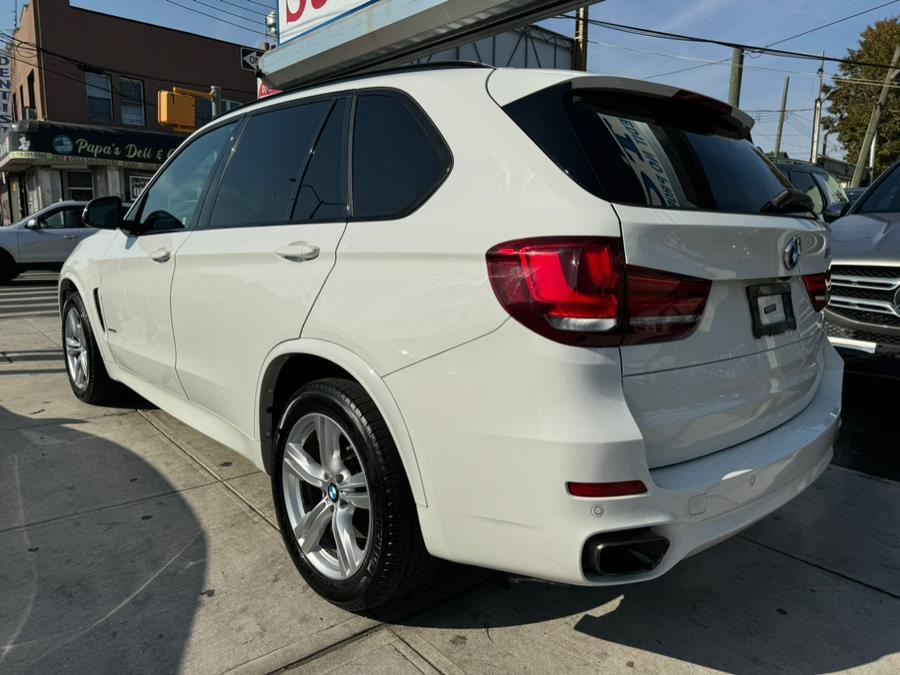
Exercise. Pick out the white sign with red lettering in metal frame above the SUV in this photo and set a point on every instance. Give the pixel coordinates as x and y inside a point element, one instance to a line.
<point>321,39</point>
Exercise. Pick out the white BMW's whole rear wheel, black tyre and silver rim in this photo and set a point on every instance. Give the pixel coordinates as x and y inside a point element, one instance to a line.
<point>344,505</point>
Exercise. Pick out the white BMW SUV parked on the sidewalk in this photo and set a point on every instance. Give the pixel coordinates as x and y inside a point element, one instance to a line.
<point>560,325</point>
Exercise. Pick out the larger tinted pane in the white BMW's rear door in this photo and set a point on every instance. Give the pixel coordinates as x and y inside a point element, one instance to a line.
<point>261,179</point>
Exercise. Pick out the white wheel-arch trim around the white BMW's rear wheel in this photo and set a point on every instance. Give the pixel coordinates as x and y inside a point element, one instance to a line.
<point>364,374</point>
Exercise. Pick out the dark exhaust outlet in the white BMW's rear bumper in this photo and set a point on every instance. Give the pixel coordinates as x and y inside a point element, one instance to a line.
<point>623,553</point>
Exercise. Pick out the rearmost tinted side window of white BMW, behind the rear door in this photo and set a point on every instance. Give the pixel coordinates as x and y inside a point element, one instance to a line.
<point>398,159</point>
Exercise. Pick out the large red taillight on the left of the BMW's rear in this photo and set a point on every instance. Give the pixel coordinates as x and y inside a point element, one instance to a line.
<point>578,290</point>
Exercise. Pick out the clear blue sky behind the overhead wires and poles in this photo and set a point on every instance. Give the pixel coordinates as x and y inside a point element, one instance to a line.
<point>757,22</point>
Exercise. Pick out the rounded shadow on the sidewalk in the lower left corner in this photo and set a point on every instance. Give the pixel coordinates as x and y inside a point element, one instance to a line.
<point>102,560</point>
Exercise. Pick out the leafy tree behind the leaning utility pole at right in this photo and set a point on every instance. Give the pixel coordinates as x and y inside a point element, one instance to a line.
<point>852,102</point>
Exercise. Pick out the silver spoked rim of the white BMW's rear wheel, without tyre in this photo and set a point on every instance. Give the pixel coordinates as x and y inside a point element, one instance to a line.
<point>326,495</point>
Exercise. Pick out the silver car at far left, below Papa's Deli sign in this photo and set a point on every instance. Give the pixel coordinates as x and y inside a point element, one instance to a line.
<point>43,240</point>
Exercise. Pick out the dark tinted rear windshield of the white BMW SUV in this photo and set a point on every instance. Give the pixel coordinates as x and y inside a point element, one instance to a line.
<point>651,153</point>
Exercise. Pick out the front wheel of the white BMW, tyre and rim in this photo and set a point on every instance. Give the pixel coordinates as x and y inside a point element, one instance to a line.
<point>84,364</point>
